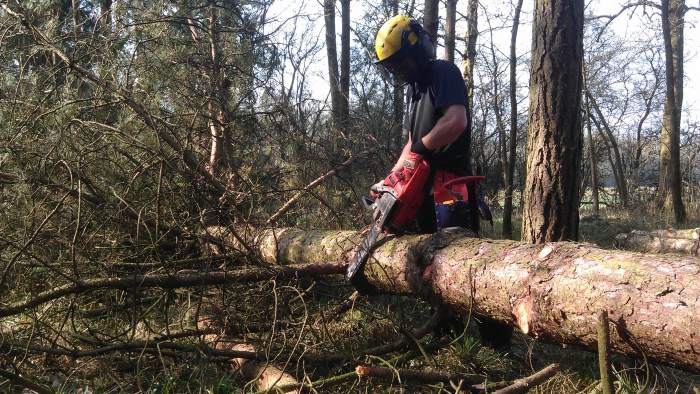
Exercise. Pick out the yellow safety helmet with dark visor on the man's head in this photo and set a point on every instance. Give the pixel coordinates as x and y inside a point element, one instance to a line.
<point>403,48</point>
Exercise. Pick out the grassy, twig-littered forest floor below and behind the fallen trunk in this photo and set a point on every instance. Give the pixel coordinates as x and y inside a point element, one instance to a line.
<point>299,318</point>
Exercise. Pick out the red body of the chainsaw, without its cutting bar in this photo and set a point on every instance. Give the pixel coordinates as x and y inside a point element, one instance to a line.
<point>408,192</point>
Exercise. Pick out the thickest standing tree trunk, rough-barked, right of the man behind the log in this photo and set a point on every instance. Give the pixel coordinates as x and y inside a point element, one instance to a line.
<point>554,138</point>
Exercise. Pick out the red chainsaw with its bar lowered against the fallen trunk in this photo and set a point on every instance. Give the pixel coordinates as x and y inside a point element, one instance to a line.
<point>400,196</point>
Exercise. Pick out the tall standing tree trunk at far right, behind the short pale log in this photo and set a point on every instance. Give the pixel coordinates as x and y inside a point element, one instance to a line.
<point>672,19</point>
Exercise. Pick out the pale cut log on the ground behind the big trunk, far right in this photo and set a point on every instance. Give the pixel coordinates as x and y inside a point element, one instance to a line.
<point>660,241</point>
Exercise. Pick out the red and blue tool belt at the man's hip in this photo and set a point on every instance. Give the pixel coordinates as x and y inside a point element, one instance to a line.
<point>456,200</point>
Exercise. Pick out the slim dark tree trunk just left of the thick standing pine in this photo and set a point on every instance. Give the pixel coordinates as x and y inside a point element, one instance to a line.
<point>509,169</point>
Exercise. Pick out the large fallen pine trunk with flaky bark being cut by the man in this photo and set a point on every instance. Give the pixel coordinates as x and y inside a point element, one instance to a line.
<point>553,292</point>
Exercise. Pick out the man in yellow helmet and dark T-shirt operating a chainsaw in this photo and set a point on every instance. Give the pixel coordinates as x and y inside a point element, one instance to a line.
<point>438,124</point>
